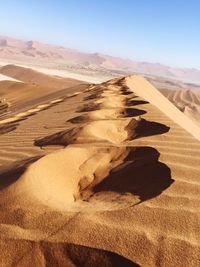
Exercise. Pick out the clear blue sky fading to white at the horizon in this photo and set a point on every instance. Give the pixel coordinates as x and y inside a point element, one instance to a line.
<point>165,31</point>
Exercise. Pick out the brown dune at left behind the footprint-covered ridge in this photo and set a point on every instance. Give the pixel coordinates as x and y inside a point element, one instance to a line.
<point>28,87</point>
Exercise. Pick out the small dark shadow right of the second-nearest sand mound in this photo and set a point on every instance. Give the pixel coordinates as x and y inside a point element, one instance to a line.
<point>148,128</point>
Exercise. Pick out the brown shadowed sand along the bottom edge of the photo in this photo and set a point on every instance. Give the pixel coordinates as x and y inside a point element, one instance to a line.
<point>59,254</point>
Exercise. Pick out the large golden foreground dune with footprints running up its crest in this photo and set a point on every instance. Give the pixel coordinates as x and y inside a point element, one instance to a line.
<point>106,177</point>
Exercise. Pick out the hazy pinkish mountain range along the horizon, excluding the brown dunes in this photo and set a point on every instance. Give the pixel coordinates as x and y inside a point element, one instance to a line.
<point>36,52</point>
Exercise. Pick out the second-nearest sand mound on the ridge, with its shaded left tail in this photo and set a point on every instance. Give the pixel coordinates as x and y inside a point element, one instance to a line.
<point>114,131</point>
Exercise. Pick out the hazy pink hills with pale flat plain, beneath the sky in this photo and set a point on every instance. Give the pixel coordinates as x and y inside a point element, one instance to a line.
<point>94,67</point>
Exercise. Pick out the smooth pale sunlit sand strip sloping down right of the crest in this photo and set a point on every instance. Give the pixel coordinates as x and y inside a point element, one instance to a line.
<point>144,89</point>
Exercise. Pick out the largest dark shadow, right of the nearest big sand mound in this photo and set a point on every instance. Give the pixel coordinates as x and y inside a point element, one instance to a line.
<point>141,174</point>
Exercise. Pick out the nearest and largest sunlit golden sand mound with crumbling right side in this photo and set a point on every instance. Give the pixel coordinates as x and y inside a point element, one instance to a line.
<point>58,185</point>
